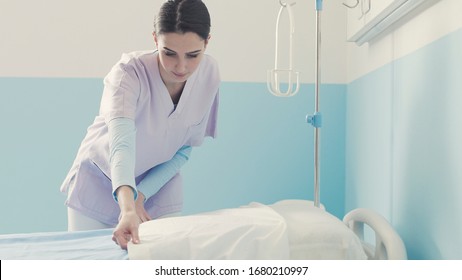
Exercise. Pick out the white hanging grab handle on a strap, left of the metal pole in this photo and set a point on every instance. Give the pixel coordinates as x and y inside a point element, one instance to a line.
<point>274,75</point>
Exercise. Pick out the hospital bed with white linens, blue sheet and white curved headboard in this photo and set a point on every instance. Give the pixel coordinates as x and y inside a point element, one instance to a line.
<point>288,229</point>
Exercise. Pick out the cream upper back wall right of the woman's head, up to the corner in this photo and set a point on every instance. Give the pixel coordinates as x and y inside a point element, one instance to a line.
<point>245,32</point>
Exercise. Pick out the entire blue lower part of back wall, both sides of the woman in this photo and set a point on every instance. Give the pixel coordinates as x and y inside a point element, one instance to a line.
<point>264,151</point>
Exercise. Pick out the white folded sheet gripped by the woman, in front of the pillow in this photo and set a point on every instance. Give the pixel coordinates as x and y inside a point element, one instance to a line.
<point>251,232</point>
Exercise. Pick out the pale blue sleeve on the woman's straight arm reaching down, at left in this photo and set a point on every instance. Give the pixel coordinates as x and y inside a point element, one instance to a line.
<point>122,133</point>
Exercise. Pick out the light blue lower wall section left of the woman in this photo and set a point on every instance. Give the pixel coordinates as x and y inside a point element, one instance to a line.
<point>43,122</point>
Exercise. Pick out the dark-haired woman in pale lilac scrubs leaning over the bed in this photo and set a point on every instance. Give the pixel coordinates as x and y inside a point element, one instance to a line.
<point>156,106</point>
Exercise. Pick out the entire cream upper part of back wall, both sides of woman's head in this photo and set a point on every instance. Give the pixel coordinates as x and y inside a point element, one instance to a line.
<point>55,38</point>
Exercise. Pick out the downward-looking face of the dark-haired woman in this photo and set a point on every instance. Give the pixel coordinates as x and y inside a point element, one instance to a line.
<point>179,55</point>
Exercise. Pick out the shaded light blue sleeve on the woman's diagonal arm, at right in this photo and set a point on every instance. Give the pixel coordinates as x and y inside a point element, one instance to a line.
<point>159,175</point>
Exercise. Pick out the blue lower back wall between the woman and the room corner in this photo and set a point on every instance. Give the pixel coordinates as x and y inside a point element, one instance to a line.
<point>264,151</point>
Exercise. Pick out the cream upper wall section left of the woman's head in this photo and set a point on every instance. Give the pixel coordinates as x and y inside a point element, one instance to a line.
<point>53,38</point>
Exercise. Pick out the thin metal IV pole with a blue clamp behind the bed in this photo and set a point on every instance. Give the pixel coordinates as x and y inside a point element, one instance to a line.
<point>316,119</point>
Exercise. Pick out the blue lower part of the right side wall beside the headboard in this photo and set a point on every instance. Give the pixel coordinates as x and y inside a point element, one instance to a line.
<point>404,147</point>
